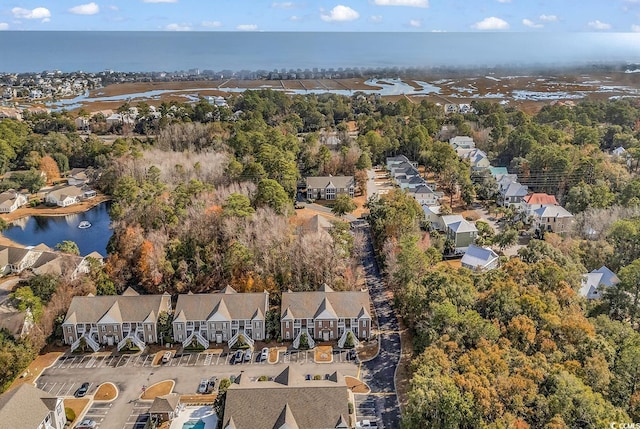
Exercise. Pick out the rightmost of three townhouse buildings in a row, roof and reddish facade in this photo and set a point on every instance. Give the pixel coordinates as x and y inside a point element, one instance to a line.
<point>325,315</point>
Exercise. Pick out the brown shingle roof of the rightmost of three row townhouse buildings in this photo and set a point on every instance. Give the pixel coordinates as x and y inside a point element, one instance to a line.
<point>308,305</point>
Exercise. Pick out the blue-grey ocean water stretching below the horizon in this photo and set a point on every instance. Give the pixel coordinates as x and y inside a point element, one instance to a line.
<point>174,51</point>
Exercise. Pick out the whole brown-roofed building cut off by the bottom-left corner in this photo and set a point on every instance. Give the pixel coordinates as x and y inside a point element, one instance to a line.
<point>27,407</point>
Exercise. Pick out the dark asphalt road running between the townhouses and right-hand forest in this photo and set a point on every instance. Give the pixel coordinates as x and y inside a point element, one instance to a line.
<point>379,372</point>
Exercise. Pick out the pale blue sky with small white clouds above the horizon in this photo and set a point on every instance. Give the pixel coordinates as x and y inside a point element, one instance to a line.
<point>322,15</point>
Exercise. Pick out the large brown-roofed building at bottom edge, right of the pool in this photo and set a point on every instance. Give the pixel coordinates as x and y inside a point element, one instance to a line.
<point>287,401</point>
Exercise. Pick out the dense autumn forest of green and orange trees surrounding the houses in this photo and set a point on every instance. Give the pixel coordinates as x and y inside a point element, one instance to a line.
<point>203,197</point>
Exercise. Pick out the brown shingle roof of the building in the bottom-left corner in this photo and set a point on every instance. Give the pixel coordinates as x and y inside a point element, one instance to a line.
<point>25,407</point>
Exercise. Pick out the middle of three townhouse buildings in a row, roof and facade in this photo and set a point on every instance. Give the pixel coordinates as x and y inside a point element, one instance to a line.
<point>220,317</point>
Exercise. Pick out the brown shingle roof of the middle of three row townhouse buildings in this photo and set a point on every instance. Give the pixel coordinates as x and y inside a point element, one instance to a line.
<point>233,306</point>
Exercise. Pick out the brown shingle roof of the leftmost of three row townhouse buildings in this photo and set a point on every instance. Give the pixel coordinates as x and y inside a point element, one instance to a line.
<point>121,308</point>
